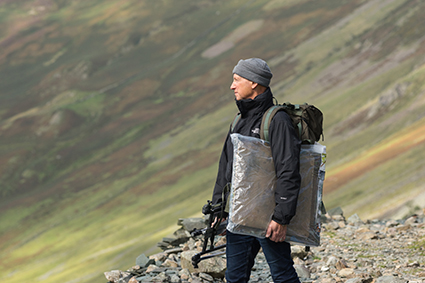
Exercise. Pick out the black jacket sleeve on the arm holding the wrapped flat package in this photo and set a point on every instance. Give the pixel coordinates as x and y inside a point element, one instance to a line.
<point>285,147</point>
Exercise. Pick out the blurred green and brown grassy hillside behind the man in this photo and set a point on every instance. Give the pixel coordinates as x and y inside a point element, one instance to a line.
<point>113,114</point>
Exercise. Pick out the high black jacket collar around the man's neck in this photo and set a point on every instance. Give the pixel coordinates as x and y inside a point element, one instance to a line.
<point>258,105</point>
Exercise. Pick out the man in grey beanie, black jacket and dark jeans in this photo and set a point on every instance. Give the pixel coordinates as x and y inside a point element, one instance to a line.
<point>251,79</point>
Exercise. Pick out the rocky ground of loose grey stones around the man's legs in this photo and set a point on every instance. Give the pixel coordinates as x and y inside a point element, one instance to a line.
<point>351,250</point>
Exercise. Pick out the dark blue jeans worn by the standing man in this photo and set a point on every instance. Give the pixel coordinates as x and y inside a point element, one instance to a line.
<point>241,251</point>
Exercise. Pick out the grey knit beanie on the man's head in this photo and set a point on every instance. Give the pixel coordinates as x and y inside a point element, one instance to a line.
<point>255,70</point>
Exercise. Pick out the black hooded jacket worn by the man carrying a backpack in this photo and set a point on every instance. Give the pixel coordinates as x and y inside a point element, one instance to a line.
<point>285,147</point>
